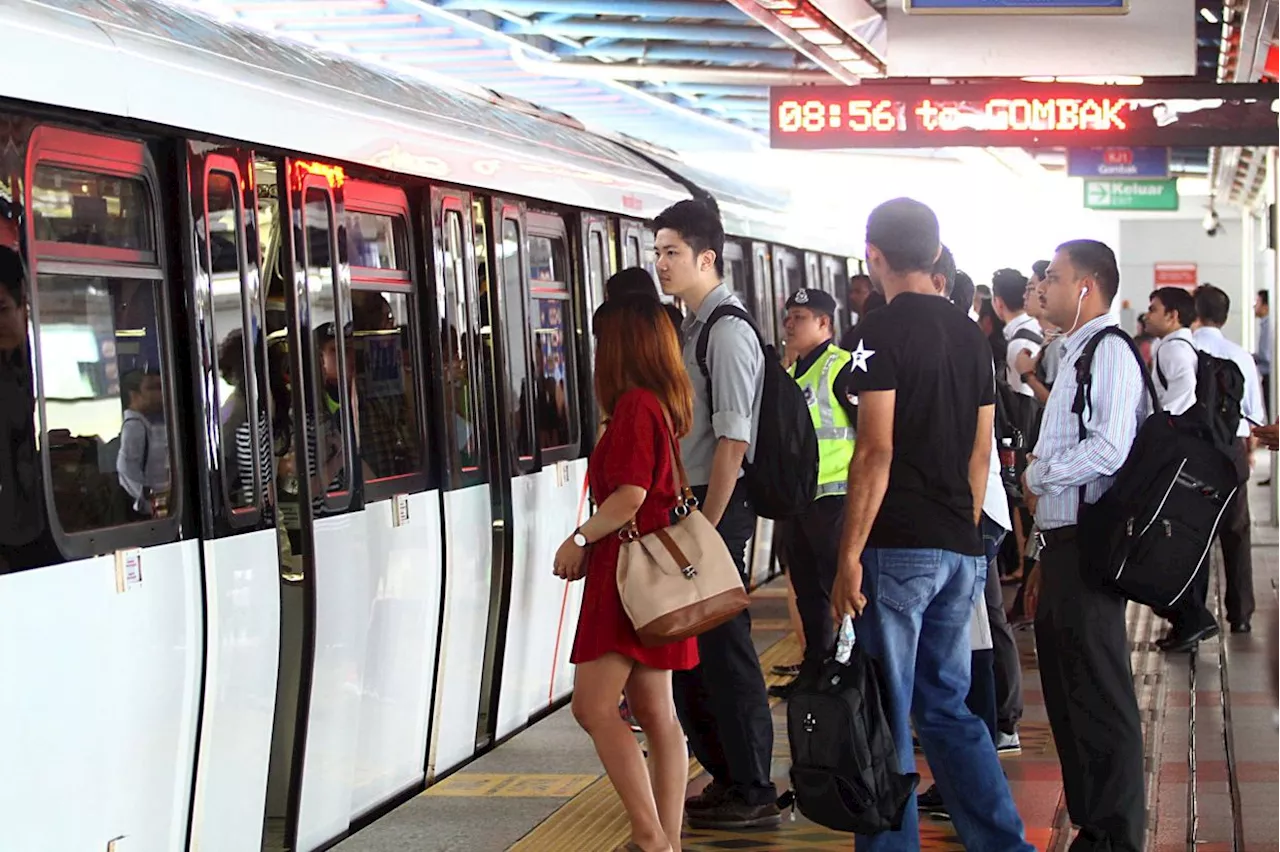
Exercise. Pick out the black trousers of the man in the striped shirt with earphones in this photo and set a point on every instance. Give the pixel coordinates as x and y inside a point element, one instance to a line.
<point>1091,703</point>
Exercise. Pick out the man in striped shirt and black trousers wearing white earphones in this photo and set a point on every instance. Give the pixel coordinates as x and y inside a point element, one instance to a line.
<point>1080,629</point>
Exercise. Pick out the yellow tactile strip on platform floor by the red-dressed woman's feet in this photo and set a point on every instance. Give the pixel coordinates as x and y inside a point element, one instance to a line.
<point>595,819</point>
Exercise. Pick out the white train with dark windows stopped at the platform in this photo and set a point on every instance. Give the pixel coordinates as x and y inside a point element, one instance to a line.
<point>299,401</point>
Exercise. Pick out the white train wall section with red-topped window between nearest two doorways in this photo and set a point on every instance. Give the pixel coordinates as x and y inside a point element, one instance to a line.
<point>404,565</point>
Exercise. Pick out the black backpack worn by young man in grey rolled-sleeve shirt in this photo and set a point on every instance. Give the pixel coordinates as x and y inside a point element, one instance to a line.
<point>783,480</point>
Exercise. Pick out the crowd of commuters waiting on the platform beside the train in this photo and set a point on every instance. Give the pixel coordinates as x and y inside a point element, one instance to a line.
<point>932,483</point>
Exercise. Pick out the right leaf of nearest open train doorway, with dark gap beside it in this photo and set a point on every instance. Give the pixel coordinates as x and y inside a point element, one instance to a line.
<point>323,539</point>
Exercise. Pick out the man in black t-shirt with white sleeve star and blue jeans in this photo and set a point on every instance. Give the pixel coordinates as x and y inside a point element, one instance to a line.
<point>926,406</point>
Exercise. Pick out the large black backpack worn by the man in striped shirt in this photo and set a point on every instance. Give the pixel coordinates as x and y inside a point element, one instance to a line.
<point>1150,535</point>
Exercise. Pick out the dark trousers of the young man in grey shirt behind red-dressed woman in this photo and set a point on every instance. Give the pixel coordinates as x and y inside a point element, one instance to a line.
<point>723,704</point>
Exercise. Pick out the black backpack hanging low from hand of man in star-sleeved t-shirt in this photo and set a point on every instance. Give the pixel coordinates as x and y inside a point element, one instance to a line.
<point>843,755</point>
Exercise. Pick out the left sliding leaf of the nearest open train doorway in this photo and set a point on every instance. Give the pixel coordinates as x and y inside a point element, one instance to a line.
<point>243,583</point>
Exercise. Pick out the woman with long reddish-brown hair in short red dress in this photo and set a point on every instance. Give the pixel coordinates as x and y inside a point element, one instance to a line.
<point>643,388</point>
